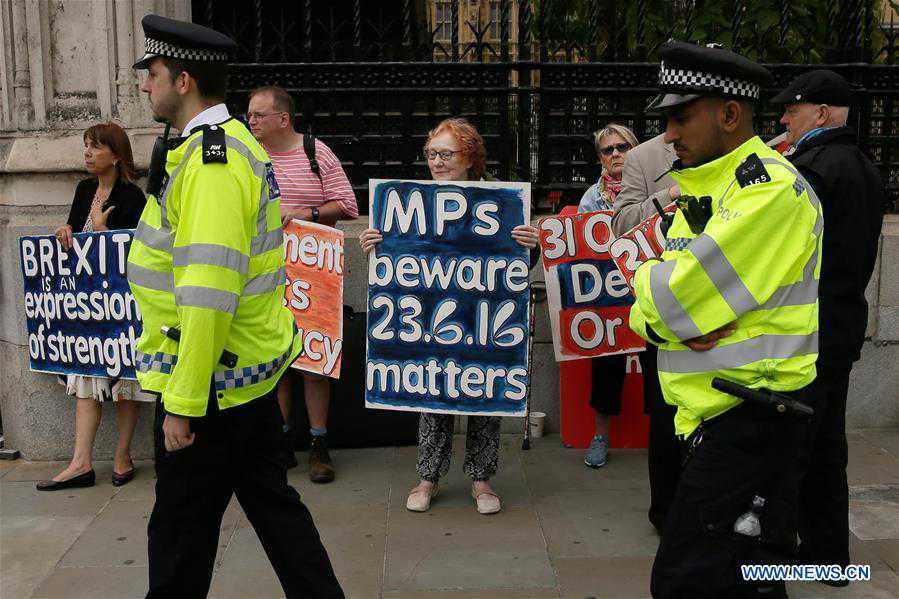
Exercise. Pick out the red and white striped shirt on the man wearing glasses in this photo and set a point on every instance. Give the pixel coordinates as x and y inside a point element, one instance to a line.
<point>301,188</point>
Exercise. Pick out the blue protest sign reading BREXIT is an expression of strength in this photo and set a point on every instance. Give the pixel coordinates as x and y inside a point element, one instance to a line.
<point>80,315</point>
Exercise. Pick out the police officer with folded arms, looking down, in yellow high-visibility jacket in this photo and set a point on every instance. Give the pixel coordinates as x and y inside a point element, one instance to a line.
<point>736,297</point>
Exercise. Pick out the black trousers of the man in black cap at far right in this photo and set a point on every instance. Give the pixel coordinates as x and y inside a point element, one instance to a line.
<point>824,498</point>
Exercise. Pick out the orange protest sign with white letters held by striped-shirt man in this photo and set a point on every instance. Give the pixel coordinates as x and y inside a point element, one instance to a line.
<point>313,255</point>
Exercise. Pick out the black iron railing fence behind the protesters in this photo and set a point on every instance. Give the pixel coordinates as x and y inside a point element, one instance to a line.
<point>371,78</point>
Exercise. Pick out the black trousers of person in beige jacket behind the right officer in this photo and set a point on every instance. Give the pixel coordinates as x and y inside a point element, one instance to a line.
<point>664,451</point>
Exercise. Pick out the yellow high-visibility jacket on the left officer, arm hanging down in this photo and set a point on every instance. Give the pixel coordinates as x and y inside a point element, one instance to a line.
<point>207,258</point>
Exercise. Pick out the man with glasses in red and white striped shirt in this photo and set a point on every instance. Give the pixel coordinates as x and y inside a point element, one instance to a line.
<point>325,197</point>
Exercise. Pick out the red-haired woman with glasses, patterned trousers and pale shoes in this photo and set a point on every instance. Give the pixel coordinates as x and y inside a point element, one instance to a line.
<point>455,152</point>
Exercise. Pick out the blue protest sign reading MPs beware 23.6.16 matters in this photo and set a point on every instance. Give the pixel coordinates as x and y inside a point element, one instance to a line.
<point>448,300</point>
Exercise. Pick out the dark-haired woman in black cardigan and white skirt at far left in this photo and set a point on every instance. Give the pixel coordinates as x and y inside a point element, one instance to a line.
<point>107,200</point>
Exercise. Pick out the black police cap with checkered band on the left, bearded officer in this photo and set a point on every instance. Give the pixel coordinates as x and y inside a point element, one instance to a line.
<point>183,41</point>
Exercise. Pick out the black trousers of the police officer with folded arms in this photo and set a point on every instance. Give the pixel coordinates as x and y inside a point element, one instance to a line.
<point>744,452</point>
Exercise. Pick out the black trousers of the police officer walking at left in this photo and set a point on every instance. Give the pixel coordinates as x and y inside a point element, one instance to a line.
<point>235,451</point>
